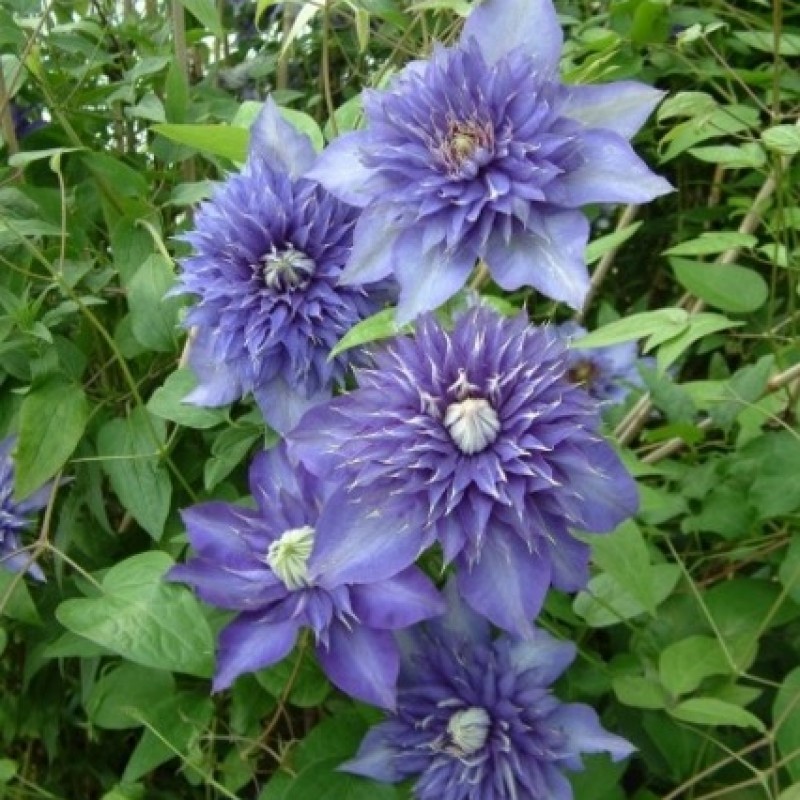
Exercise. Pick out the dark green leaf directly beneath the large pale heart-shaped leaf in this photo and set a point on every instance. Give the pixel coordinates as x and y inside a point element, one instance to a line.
<point>124,691</point>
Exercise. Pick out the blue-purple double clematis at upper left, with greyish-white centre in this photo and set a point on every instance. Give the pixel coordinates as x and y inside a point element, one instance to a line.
<point>270,247</point>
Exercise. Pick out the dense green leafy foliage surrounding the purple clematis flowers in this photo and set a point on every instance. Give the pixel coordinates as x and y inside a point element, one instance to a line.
<point>115,118</point>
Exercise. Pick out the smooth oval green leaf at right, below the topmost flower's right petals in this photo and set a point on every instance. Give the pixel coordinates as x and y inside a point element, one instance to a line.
<point>725,286</point>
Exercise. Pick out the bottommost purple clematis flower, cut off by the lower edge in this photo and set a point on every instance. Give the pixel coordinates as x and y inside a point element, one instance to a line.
<point>476,719</point>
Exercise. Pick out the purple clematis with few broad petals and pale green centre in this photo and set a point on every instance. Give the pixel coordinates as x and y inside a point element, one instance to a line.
<point>262,564</point>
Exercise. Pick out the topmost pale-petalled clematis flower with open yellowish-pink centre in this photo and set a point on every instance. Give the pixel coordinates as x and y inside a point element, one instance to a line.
<point>481,152</point>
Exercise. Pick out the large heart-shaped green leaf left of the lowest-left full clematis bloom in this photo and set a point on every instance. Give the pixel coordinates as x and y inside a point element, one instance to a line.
<point>143,618</point>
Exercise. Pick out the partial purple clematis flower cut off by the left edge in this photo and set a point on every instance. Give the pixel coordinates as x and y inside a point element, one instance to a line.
<point>15,517</point>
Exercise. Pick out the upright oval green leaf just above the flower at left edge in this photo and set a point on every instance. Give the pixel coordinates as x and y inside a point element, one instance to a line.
<point>53,418</point>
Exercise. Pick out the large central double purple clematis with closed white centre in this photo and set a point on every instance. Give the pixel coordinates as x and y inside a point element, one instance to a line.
<point>477,439</point>
